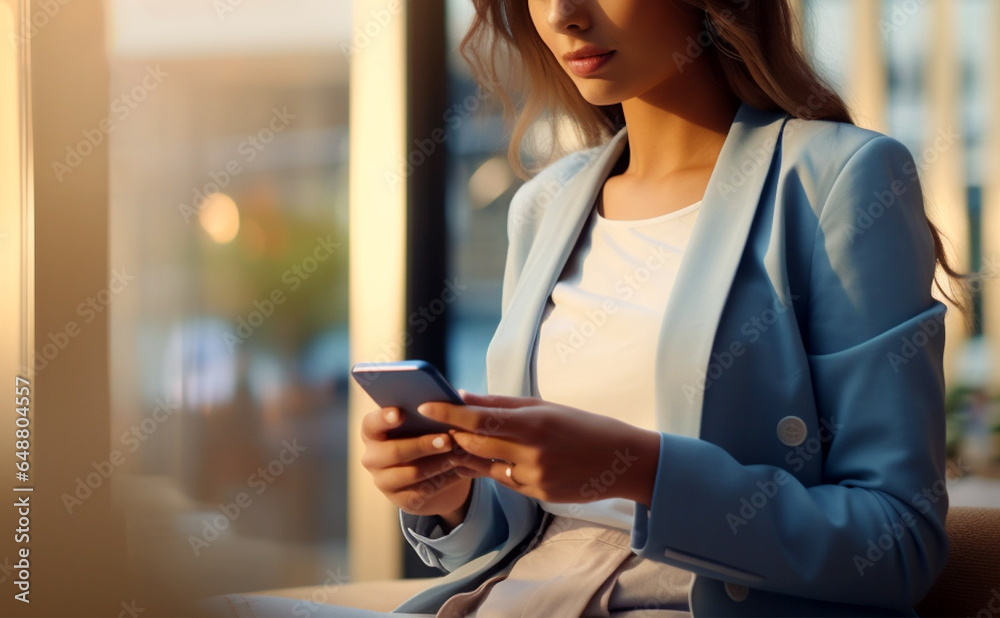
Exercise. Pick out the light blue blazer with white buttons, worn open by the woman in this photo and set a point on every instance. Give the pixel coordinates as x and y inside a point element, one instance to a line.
<point>801,345</point>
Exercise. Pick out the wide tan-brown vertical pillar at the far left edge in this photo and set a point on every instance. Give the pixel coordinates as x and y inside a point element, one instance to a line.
<point>77,554</point>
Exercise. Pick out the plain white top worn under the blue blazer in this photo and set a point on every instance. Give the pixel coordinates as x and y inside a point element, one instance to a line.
<point>597,341</point>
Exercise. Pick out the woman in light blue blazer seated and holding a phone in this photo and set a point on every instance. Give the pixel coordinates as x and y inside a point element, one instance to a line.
<point>716,387</point>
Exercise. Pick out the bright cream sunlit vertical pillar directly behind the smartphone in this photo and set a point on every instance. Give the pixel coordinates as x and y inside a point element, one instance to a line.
<point>377,271</point>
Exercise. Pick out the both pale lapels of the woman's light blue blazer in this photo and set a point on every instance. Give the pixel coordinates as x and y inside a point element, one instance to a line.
<point>700,290</point>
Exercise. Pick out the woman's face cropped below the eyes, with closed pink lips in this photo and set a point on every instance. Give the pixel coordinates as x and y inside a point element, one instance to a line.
<point>623,48</point>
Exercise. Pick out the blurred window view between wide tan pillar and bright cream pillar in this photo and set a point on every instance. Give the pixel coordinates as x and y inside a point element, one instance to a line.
<point>228,146</point>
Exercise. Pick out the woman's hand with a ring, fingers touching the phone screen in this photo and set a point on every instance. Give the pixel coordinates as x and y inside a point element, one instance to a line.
<point>559,453</point>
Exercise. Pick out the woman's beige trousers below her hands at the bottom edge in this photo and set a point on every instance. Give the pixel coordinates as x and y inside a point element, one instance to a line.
<point>573,568</point>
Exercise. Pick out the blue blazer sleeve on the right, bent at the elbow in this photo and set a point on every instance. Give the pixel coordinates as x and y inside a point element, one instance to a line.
<point>872,532</point>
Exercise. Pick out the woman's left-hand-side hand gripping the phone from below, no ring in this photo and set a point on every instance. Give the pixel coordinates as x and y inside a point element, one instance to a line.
<point>420,474</point>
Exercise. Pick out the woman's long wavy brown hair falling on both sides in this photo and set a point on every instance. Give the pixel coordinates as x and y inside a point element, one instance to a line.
<point>753,49</point>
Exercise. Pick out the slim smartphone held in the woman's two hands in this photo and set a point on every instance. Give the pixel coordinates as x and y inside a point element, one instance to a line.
<point>406,385</point>
